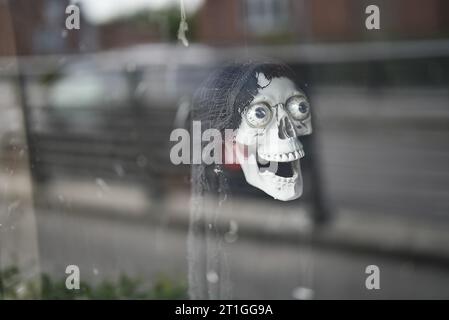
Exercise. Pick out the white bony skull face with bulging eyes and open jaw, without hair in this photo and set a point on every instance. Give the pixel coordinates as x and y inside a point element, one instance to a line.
<point>268,147</point>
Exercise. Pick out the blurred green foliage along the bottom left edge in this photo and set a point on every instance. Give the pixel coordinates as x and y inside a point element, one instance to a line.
<point>124,288</point>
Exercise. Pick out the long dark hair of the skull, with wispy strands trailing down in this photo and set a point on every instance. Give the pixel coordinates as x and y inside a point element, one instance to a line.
<point>218,104</point>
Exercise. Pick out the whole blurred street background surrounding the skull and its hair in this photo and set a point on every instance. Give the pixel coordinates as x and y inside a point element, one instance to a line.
<point>85,174</point>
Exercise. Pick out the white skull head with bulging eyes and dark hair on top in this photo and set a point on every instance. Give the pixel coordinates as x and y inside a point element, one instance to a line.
<point>269,113</point>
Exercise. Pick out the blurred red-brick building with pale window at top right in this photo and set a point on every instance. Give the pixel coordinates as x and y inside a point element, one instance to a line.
<point>254,21</point>
